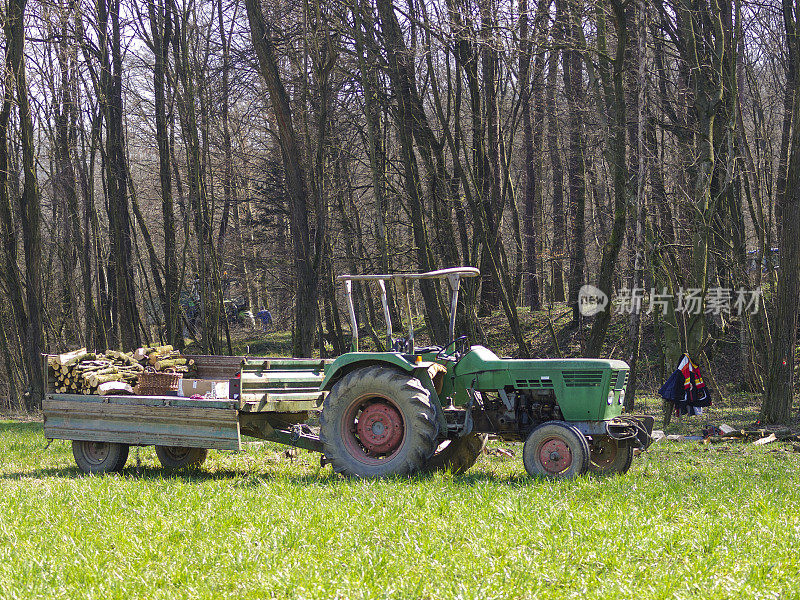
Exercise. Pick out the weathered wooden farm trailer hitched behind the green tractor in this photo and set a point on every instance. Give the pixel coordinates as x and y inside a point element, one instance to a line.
<point>269,398</point>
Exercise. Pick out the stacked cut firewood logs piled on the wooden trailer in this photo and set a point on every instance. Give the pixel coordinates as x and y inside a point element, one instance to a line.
<point>112,372</point>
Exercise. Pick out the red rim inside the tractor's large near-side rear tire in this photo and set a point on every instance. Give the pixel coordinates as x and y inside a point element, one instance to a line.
<point>373,429</point>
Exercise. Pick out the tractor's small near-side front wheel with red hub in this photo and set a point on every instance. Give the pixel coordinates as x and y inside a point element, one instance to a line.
<point>555,450</point>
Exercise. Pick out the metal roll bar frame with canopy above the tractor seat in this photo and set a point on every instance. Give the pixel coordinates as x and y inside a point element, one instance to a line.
<point>402,280</point>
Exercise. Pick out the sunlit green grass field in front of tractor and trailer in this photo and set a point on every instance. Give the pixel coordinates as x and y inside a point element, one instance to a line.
<point>688,521</point>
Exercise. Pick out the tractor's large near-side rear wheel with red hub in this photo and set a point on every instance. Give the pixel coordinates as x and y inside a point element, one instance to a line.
<point>391,411</point>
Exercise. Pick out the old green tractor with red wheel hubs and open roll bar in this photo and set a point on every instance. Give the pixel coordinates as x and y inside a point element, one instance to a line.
<point>423,409</point>
